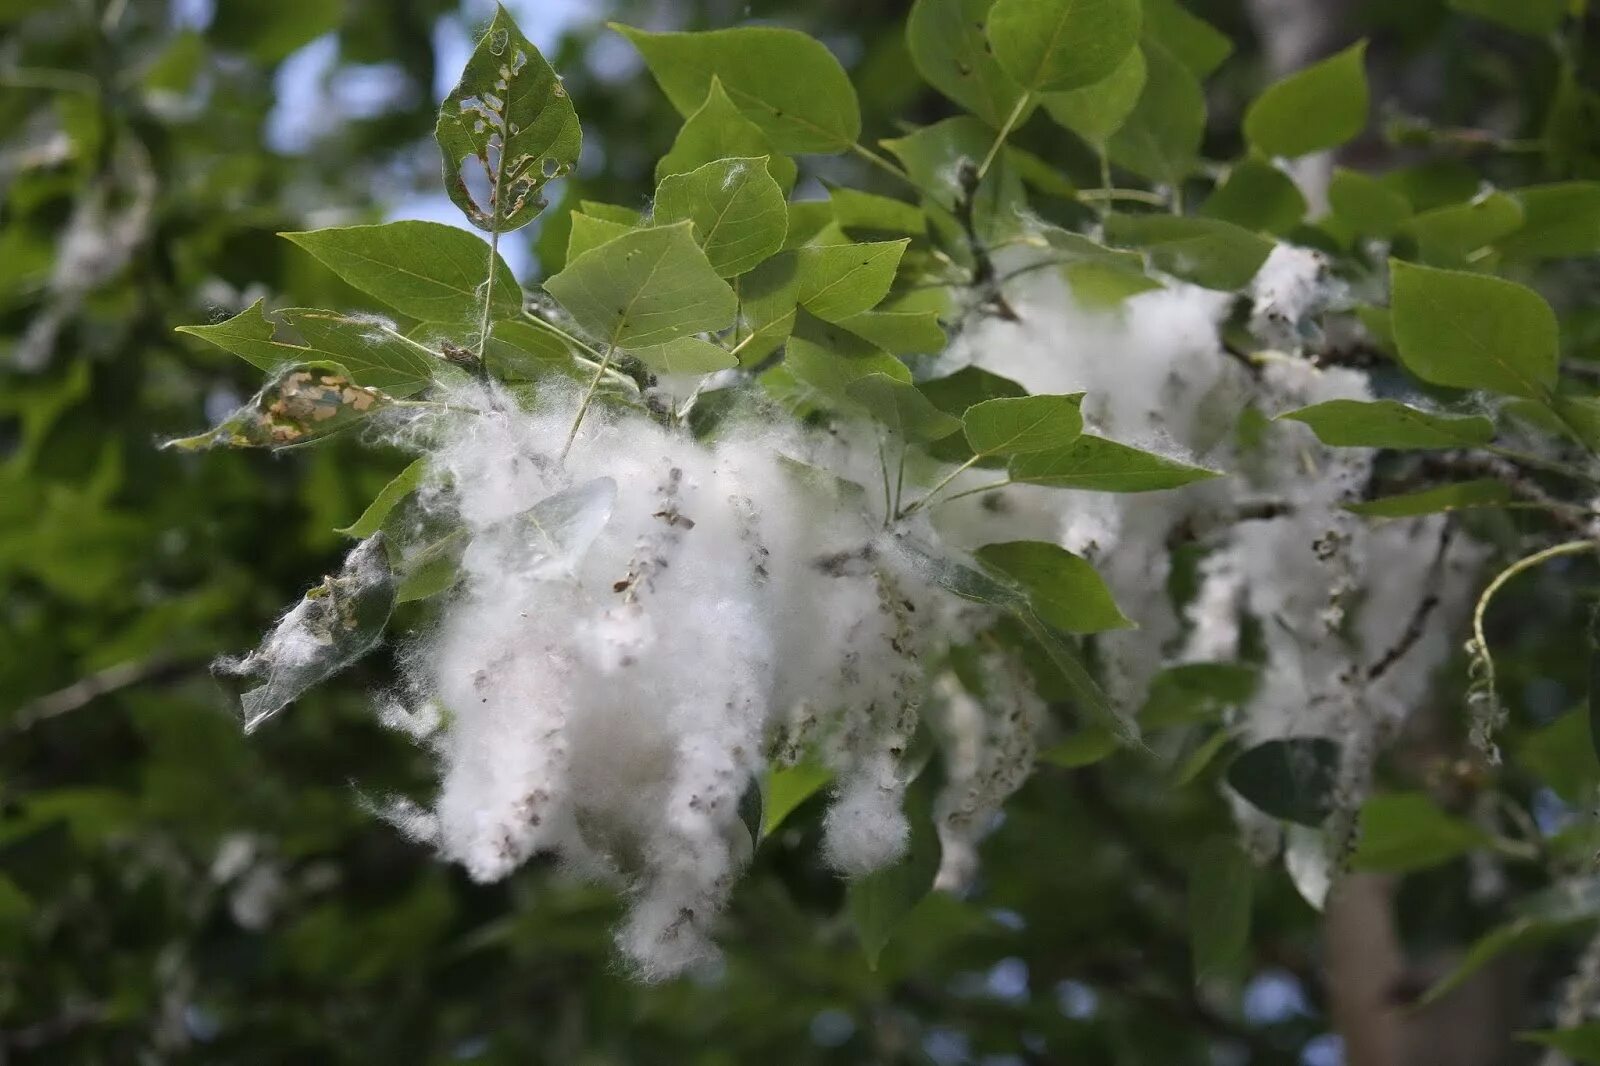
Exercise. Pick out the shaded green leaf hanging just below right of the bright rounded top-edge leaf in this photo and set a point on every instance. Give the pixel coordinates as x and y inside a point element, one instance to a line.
<point>1161,137</point>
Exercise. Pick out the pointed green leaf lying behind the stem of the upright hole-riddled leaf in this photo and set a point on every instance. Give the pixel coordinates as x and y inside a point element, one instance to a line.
<point>422,270</point>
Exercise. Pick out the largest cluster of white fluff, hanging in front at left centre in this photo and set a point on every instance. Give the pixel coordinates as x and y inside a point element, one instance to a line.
<point>641,630</point>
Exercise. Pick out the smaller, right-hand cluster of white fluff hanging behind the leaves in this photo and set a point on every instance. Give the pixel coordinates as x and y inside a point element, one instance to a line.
<point>1338,598</point>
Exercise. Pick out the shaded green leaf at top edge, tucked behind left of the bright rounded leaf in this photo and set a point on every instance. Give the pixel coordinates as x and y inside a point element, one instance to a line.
<point>951,54</point>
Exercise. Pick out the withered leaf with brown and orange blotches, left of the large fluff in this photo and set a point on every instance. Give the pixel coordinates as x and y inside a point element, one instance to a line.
<point>302,404</point>
